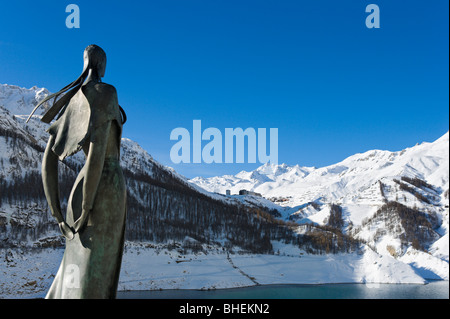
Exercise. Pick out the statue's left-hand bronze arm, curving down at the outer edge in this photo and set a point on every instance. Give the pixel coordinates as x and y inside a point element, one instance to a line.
<point>51,186</point>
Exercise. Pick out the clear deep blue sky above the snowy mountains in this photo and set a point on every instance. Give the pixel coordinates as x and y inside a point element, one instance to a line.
<point>312,69</point>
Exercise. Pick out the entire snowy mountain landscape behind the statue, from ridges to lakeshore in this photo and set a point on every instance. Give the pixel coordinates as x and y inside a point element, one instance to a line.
<point>383,215</point>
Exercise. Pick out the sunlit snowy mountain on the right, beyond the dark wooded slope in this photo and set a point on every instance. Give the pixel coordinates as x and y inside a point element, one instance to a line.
<point>396,202</point>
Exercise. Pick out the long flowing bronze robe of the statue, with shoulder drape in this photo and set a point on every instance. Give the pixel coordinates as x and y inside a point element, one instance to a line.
<point>91,263</point>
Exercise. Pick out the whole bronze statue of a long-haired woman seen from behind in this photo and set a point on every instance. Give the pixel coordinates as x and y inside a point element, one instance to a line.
<point>90,119</point>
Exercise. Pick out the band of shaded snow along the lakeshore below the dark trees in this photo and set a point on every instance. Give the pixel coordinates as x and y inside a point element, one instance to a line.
<point>29,274</point>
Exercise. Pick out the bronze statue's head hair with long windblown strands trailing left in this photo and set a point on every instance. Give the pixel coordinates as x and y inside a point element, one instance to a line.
<point>93,57</point>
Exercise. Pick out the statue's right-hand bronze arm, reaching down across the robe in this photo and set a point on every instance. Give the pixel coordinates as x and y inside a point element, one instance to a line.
<point>94,167</point>
